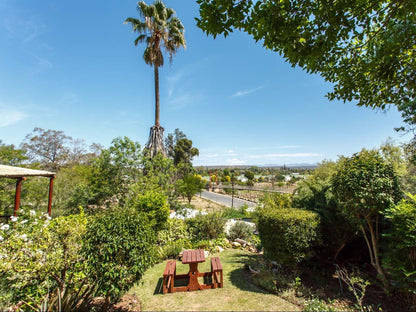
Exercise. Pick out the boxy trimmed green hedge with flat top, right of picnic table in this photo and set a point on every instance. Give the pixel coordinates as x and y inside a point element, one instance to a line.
<point>287,234</point>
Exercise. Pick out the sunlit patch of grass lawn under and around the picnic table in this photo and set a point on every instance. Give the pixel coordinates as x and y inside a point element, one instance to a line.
<point>237,294</point>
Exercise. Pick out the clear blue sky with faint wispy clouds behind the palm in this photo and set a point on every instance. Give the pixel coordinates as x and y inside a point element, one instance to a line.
<point>72,66</point>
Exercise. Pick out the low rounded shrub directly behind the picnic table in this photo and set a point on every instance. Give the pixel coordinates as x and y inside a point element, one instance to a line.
<point>209,226</point>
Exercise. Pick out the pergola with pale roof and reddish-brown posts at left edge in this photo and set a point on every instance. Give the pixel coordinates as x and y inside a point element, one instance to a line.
<point>20,175</point>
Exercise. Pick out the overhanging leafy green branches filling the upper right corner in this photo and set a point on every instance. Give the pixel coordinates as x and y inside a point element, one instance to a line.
<point>366,48</point>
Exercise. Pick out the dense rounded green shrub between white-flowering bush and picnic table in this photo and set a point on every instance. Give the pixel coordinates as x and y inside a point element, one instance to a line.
<point>119,245</point>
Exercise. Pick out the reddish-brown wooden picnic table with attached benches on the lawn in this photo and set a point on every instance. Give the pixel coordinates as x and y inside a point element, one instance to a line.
<point>192,257</point>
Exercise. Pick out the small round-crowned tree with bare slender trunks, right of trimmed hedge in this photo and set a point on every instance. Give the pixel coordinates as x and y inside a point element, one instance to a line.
<point>366,186</point>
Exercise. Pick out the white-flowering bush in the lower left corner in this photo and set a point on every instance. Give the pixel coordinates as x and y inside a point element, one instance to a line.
<point>37,256</point>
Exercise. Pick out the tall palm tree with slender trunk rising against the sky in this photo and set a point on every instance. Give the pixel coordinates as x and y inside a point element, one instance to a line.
<point>158,28</point>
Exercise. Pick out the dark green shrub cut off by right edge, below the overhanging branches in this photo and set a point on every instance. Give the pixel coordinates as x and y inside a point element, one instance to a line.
<point>400,257</point>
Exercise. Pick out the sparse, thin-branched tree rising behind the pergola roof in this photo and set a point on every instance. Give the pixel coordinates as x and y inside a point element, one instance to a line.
<point>48,147</point>
